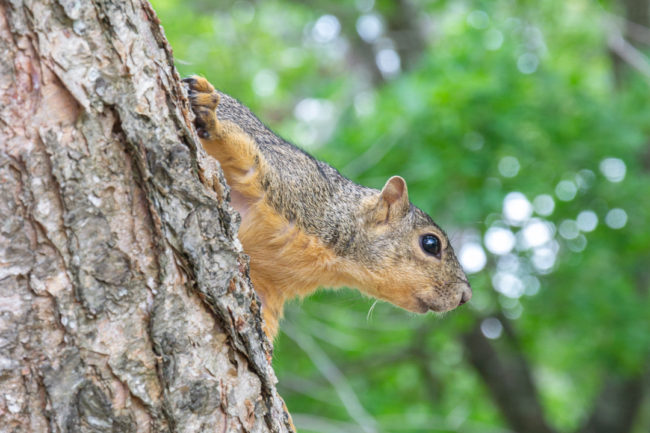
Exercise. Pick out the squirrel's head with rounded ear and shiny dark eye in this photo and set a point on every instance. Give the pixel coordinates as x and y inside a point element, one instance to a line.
<point>409,259</point>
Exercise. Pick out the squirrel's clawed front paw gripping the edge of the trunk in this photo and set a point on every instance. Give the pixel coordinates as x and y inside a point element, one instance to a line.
<point>204,100</point>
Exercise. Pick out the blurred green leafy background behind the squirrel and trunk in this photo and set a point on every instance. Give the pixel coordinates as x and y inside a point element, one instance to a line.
<point>521,127</point>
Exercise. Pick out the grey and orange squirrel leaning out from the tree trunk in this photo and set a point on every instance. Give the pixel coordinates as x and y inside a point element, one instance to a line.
<point>306,226</point>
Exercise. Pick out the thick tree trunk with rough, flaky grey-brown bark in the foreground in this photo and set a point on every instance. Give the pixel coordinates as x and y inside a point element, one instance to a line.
<point>124,300</point>
